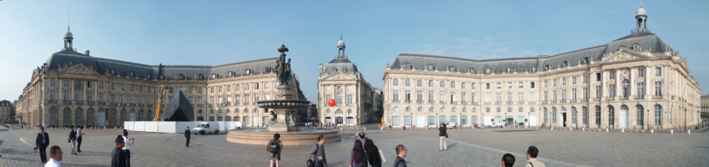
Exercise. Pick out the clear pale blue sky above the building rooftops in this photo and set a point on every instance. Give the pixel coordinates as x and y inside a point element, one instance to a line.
<point>201,32</point>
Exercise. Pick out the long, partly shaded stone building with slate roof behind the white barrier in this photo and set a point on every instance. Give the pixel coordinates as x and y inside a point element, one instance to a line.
<point>74,88</point>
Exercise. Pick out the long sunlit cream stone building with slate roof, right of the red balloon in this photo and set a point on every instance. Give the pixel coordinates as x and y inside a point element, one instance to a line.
<point>634,82</point>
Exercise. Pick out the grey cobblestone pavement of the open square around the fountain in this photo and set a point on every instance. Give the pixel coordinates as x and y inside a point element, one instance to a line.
<point>467,147</point>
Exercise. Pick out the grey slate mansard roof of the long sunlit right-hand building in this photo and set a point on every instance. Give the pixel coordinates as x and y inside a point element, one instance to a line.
<point>641,41</point>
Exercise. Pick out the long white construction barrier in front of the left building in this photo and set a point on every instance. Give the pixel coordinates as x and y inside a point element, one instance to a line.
<point>177,127</point>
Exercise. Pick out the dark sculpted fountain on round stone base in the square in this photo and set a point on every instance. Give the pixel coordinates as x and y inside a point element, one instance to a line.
<point>281,109</point>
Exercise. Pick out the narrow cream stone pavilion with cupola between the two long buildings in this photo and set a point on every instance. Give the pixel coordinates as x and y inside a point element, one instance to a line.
<point>341,82</point>
